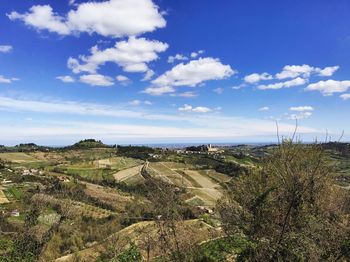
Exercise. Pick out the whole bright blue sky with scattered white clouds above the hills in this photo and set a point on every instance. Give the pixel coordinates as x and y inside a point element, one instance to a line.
<point>173,71</point>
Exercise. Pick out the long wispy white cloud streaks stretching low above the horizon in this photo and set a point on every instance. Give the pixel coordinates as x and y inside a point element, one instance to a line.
<point>192,126</point>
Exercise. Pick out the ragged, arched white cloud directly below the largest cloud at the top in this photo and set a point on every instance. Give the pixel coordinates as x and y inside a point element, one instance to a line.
<point>132,55</point>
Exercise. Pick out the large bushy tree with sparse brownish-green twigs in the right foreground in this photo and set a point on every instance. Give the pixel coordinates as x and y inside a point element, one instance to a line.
<point>290,209</point>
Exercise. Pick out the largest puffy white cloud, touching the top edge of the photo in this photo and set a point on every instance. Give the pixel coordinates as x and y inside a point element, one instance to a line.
<point>114,18</point>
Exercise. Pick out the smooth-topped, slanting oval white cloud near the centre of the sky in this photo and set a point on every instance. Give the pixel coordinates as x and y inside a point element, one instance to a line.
<point>194,73</point>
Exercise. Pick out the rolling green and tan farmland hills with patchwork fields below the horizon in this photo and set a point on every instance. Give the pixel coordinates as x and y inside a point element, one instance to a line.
<point>84,200</point>
